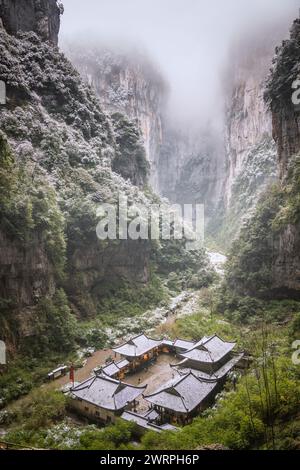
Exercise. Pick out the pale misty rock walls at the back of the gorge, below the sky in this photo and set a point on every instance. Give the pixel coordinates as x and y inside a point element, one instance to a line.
<point>226,171</point>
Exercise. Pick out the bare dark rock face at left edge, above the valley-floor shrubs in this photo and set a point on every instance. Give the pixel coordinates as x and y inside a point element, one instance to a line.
<point>26,276</point>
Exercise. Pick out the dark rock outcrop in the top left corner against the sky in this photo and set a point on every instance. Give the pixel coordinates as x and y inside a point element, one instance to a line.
<point>40,16</point>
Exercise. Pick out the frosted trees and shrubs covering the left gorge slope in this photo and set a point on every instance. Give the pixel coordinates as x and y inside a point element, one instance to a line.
<point>60,157</point>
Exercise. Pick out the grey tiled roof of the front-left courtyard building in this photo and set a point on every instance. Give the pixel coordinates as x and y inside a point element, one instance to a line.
<point>106,392</point>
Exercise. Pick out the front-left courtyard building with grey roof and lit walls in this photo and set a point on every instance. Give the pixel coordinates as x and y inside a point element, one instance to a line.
<point>102,399</point>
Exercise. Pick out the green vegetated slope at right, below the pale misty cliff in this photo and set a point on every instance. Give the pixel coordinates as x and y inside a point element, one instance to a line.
<point>250,265</point>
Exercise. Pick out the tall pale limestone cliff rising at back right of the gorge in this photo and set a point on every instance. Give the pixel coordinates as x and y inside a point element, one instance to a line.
<point>250,155</point>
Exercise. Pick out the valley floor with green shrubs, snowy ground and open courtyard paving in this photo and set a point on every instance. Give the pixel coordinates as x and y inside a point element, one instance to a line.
<point>261,413</point>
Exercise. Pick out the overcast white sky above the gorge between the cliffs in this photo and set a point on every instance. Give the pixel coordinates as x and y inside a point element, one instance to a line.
<point>188,38</point>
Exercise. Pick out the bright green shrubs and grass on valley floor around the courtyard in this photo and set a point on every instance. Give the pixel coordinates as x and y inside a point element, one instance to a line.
<point>261,412</point>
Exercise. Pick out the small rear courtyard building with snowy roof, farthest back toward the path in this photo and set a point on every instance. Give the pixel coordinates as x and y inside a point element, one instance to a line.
<point>139,350</point>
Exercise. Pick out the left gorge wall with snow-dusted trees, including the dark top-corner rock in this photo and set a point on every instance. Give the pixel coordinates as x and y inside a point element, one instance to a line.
<point>58,151</point>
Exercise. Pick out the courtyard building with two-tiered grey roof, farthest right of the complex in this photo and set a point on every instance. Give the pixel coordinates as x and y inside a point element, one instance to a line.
<point>210,359</point>
